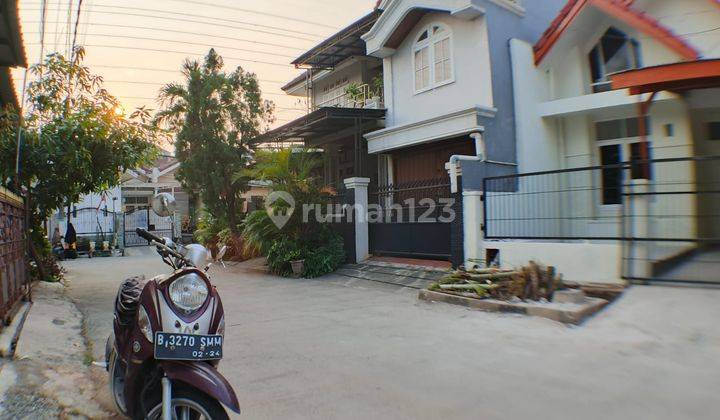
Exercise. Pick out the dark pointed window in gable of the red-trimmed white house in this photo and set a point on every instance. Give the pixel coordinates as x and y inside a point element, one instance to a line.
<point>615,52</point>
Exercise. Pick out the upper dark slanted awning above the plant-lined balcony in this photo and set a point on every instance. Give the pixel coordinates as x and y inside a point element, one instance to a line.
<point>338,47</point>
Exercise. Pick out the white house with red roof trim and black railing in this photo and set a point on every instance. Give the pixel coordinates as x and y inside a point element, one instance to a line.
<point>610,85</point>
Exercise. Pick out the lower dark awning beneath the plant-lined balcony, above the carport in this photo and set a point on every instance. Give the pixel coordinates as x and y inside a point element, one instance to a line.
<point>322,122</point>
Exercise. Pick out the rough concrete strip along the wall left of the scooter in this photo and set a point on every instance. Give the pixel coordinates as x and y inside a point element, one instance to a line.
<point>49,376</point>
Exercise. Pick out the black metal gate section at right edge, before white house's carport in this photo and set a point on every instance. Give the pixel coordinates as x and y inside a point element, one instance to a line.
<point>672,223</point>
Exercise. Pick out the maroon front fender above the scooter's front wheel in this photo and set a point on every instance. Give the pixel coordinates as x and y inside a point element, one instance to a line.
<point>203,377</point>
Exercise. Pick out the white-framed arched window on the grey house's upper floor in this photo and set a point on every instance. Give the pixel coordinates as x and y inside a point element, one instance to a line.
<point>432,54</point>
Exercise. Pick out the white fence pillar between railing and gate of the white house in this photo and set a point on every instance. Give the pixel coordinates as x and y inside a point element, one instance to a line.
<point>639,262</point>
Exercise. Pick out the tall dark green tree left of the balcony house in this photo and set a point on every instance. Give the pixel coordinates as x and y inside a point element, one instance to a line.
<point>215,117</point>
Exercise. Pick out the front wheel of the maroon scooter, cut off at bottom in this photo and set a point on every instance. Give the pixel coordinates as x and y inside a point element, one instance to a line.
<point>190,404</point>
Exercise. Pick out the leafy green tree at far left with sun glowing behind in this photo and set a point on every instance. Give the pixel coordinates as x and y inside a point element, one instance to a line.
<point>74,140</point>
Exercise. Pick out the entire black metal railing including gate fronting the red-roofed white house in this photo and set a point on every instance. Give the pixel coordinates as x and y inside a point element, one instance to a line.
<point>666,213</point>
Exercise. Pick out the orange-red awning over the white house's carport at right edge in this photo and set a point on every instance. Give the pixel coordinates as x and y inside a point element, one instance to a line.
<point>676,77</point>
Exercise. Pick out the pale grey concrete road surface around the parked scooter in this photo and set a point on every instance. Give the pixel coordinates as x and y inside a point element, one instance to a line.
<point>335,348</point>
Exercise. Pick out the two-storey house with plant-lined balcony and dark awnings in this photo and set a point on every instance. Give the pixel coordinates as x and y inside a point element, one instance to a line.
<point>336,120</point>
